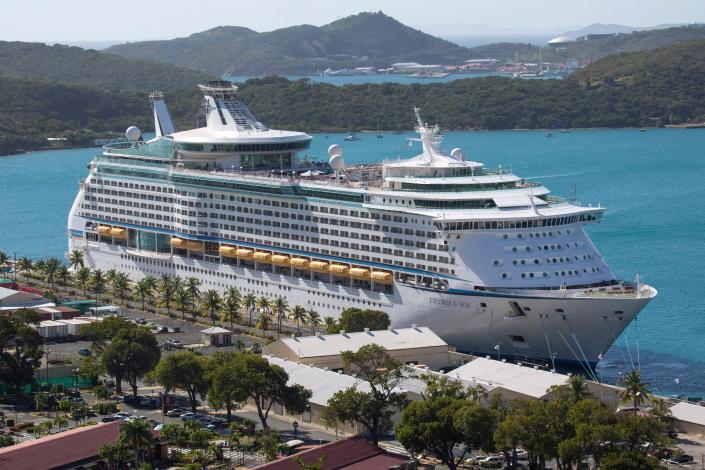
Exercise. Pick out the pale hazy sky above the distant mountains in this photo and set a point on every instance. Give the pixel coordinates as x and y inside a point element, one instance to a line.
<point>134,20</point>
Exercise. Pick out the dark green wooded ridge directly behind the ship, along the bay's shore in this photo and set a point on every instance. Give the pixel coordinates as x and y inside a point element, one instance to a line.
<point>631,89</point>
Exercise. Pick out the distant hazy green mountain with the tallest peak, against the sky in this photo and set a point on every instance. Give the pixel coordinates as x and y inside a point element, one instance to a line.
<point>366,39</point>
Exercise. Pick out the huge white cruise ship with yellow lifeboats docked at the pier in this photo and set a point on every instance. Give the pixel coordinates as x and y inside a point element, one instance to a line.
<point>488,260</point>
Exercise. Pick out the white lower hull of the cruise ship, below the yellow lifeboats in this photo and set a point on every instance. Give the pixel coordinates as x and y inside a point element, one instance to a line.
<point>555,324</point>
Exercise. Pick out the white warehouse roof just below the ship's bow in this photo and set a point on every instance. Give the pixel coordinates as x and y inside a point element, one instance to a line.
<point>520,379</point>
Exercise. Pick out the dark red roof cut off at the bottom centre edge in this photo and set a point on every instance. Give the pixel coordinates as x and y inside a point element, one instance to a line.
<point>354,453</point>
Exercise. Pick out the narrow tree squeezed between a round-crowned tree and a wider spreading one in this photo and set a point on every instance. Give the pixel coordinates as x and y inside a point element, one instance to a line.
<point>224,383</point>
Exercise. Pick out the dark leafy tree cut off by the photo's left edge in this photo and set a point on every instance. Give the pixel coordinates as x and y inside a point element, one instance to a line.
<point>20,348</point>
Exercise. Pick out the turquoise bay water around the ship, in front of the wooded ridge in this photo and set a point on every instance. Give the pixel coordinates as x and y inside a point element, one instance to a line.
<point>651,183</point>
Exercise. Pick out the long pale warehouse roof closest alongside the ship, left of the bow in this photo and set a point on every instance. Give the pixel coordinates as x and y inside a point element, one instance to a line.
<point>333,345</point>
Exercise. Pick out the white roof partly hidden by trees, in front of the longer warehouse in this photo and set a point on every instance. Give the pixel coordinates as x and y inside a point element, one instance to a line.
<point>322,383</point>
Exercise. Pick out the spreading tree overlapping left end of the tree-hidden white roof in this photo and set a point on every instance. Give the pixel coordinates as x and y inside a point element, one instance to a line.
<point>266,384</point>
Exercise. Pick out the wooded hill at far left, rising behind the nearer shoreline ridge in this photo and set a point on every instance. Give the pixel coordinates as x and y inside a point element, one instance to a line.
<point>91,68</point>
